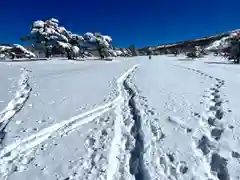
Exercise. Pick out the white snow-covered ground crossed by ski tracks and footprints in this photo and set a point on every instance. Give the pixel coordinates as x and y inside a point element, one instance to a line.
<point>164,118</point>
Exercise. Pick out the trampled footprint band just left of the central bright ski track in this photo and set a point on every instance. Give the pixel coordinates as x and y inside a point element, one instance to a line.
<point>94,164</point>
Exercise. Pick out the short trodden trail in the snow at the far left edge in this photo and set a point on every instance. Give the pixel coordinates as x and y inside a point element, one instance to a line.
<point>16,104</point>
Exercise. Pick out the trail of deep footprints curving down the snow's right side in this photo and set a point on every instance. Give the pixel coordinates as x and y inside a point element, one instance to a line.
<point>212,129</point>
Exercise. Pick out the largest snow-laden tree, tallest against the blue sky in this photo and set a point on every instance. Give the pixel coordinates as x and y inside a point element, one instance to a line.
<point>48,34</point>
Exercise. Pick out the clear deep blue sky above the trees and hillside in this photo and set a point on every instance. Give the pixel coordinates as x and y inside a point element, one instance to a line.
<point>143,23</point>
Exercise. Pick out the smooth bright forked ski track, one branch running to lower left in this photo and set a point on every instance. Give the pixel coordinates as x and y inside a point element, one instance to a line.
<point>24,146</point>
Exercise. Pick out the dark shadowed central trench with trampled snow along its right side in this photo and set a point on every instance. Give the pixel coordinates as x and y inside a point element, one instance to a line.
<point>146,160</point>
